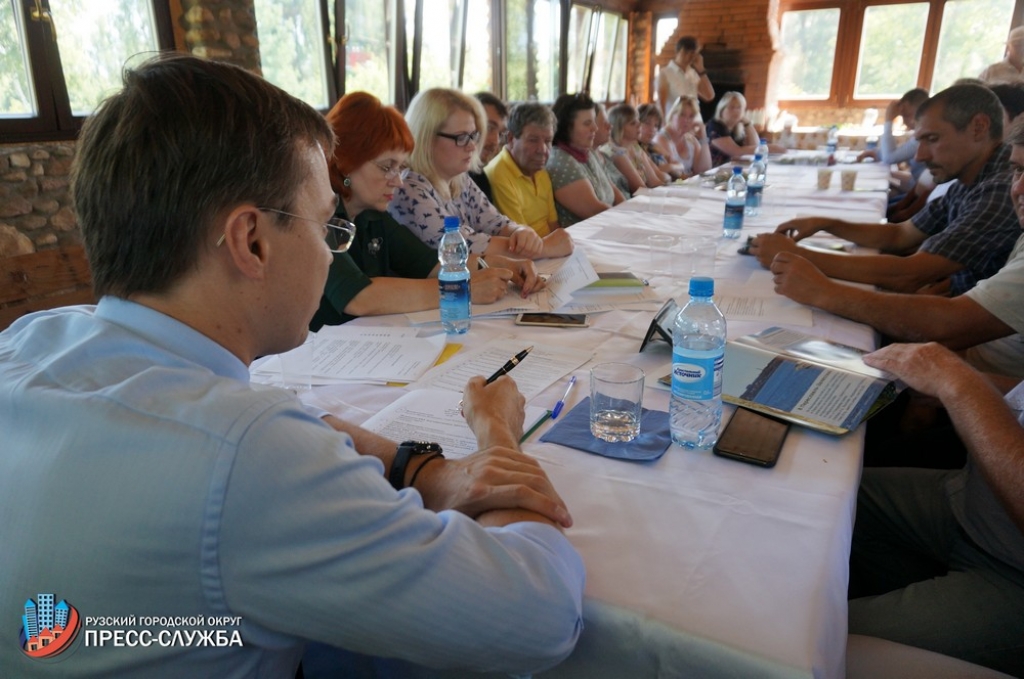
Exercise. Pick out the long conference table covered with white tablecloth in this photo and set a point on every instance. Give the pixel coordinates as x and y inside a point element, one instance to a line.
<point>697,566</point>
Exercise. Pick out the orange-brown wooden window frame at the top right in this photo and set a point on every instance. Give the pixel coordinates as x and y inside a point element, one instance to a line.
<point>848,43</point>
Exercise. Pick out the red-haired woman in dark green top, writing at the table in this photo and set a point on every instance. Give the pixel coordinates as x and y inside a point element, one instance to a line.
<point>388,270</point>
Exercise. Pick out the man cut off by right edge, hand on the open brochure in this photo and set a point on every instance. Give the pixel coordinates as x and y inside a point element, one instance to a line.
<point>937,560</point>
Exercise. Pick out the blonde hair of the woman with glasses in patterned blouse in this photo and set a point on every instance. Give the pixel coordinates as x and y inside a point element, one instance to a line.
<point>426,116</point>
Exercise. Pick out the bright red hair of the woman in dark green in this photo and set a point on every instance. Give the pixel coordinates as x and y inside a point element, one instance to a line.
<point>365,130</point>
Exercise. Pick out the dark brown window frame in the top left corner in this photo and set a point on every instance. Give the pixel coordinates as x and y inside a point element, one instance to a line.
<point>55,120</point>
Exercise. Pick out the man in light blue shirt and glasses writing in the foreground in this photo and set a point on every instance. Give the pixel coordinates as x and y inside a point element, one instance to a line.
<point>192,525</point>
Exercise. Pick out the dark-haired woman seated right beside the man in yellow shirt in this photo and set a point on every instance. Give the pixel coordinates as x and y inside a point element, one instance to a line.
<point>582,188</point>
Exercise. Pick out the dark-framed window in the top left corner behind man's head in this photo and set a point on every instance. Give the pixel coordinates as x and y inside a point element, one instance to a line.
<point>59,60</point>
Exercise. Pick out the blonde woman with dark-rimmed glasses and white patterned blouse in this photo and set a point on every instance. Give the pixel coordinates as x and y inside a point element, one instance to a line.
<point>447,125</point>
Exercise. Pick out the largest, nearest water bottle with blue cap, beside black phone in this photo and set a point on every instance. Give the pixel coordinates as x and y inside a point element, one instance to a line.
<point>698,358</point>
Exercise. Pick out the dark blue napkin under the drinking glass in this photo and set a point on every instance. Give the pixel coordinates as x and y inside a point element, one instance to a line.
<point>574,431</point>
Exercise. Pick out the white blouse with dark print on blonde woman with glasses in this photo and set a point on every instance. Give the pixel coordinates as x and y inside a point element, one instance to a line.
<point>420,208</point>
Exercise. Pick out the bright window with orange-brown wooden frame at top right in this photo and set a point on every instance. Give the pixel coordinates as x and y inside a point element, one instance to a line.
<point>857,53</point>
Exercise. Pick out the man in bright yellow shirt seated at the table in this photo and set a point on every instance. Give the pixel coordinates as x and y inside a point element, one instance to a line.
<point>521,185</point>
